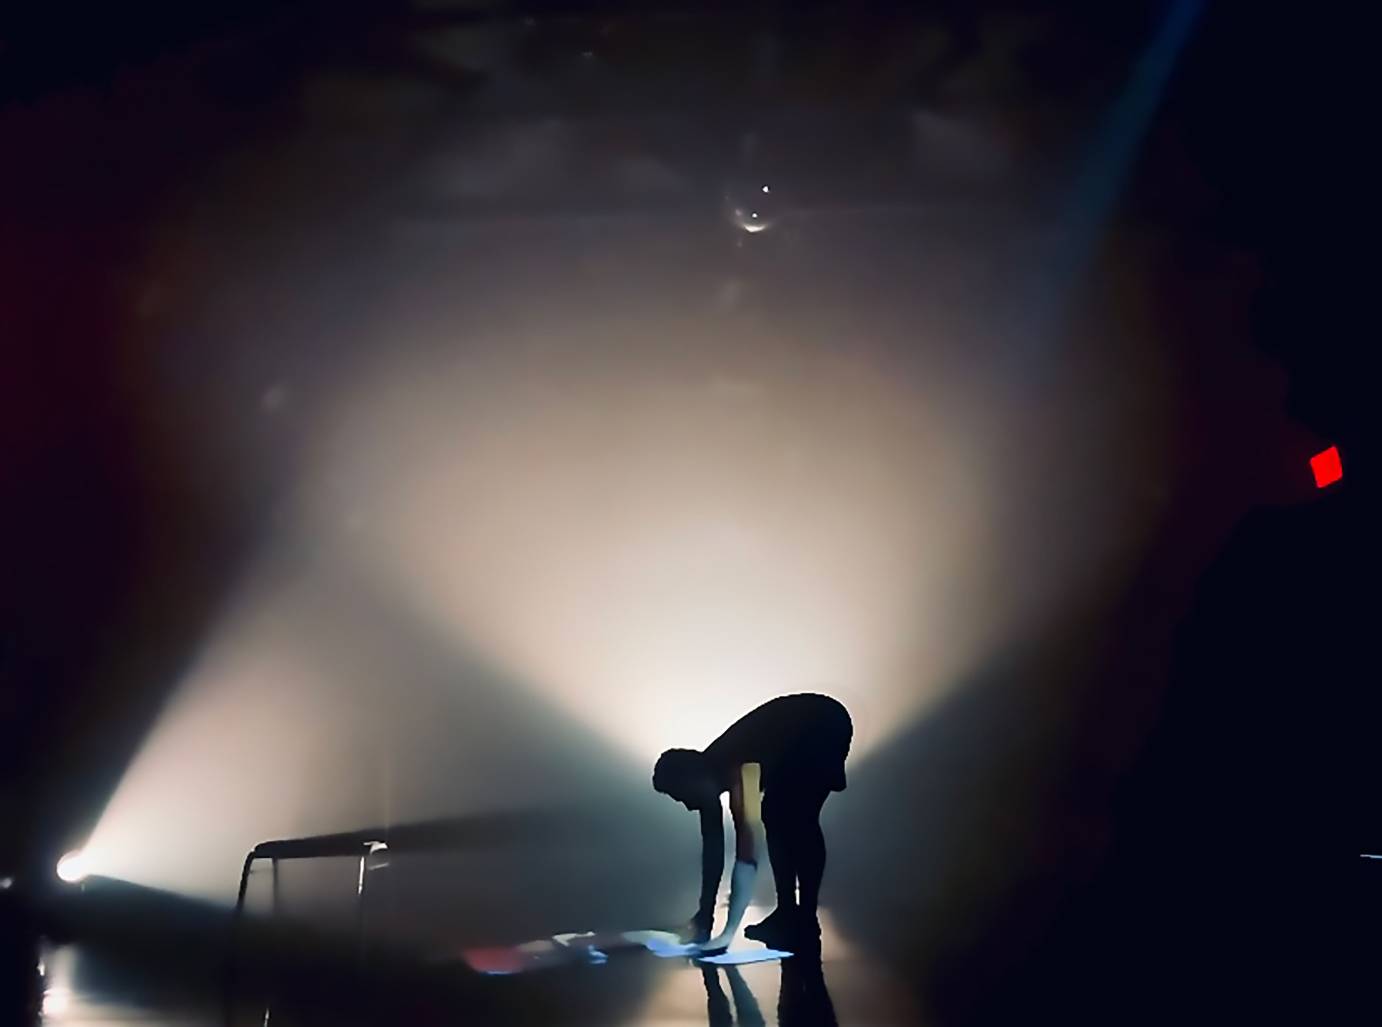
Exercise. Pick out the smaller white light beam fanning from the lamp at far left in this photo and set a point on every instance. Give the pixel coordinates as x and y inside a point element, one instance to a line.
<point>254,746</point>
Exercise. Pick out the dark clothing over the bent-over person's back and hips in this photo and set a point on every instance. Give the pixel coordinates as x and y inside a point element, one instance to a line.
<point>798,740</point>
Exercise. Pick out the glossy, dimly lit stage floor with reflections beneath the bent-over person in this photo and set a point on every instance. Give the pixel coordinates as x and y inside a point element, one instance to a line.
<point>92,985</point>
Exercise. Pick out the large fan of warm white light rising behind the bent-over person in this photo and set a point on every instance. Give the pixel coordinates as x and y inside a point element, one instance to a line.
<point>660,544</point>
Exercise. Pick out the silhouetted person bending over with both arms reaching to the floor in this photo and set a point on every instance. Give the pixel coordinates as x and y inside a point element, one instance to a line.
<point>790,751</point>
